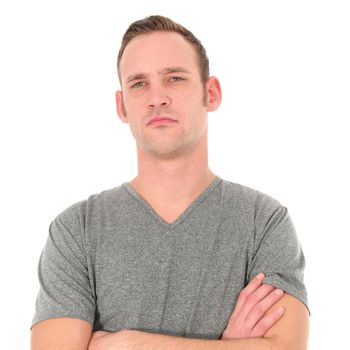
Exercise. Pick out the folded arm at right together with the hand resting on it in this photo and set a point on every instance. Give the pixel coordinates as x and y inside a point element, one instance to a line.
<point>255,324</point>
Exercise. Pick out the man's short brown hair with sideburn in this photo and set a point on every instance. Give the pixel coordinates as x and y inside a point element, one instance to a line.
<point>160,23</point>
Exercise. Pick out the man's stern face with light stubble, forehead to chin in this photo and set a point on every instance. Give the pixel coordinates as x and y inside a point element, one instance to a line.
<point>162,95</point>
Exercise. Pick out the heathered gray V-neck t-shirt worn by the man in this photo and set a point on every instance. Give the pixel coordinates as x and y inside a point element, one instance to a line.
<point>113,261</point>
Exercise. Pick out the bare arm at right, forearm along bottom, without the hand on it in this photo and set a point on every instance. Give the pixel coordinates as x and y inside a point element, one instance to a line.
<point>289,334</point>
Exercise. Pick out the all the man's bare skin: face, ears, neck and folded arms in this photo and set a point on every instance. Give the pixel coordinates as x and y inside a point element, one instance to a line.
<point>166,105</point>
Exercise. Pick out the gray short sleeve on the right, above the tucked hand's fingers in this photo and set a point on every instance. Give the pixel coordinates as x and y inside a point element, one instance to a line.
<point>277,251</point>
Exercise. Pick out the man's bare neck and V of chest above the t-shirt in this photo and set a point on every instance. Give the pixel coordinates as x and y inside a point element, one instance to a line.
<point>172,183</point>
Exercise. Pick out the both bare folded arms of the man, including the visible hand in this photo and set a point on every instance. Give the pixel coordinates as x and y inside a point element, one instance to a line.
<point>255,324</point>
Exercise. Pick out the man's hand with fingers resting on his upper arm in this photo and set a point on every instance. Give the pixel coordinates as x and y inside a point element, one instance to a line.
<point>251,317</point>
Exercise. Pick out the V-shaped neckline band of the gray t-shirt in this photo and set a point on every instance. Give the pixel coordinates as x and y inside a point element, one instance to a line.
<point>128,187</point>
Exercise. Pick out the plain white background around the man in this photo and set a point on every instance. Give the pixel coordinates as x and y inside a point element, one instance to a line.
<point>282,128</point>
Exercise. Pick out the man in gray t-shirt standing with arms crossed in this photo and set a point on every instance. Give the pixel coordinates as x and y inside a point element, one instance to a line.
<point>178,258</point>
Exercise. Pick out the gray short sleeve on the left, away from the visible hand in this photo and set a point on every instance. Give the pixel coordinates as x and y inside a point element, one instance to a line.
<point>65,288</point>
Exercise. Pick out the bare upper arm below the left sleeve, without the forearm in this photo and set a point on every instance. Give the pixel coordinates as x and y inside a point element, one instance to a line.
<point>61,334</point>
